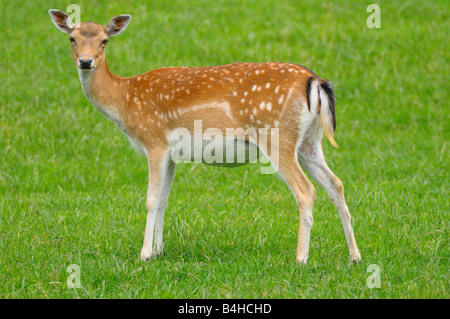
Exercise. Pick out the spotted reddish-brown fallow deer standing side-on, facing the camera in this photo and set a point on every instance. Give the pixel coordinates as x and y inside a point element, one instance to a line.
<point>150,106</point>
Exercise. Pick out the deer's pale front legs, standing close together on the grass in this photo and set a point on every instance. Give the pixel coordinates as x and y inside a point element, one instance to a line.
<point>161,172</point>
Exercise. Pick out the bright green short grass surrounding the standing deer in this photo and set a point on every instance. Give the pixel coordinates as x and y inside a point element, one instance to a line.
<point>72,190</point>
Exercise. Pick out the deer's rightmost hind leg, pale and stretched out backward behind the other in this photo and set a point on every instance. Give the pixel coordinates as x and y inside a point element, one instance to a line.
<point>312,160</point>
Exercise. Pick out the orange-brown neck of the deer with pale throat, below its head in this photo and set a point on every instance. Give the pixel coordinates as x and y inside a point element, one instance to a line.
<point>106,91</point>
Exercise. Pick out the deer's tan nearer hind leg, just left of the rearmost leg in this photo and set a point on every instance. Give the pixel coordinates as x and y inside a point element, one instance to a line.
<point>289,170</point>
